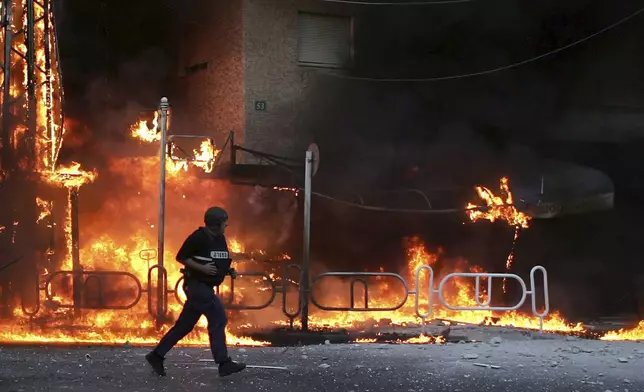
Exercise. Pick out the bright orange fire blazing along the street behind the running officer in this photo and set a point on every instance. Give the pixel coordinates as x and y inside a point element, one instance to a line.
<point>120,236</point>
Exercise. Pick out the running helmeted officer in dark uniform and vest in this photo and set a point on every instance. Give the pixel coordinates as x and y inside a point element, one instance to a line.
<point>205,246</point>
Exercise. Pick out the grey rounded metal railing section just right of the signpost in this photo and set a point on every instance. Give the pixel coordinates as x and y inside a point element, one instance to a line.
<point>354,278</point>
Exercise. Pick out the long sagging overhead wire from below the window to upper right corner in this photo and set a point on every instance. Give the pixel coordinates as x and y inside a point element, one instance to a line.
<point>498,69</point>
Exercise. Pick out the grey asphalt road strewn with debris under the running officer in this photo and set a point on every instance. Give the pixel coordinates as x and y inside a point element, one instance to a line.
<point>530,365</point>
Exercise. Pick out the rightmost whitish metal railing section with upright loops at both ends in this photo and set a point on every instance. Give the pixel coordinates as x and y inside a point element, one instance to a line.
<point>485,305</point>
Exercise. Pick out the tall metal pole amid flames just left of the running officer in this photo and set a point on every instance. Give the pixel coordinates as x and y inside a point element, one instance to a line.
<point>163,127</point>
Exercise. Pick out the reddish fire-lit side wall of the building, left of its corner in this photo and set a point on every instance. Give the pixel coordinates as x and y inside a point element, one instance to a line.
<point>212,99</point>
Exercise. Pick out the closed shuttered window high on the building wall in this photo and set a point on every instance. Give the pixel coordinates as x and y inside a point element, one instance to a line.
<point>325,40</point>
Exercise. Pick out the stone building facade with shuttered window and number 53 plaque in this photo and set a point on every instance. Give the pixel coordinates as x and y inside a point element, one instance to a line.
<point>250,66</point>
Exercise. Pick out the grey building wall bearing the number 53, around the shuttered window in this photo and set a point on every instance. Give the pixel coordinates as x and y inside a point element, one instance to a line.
<point>272,74</point>
